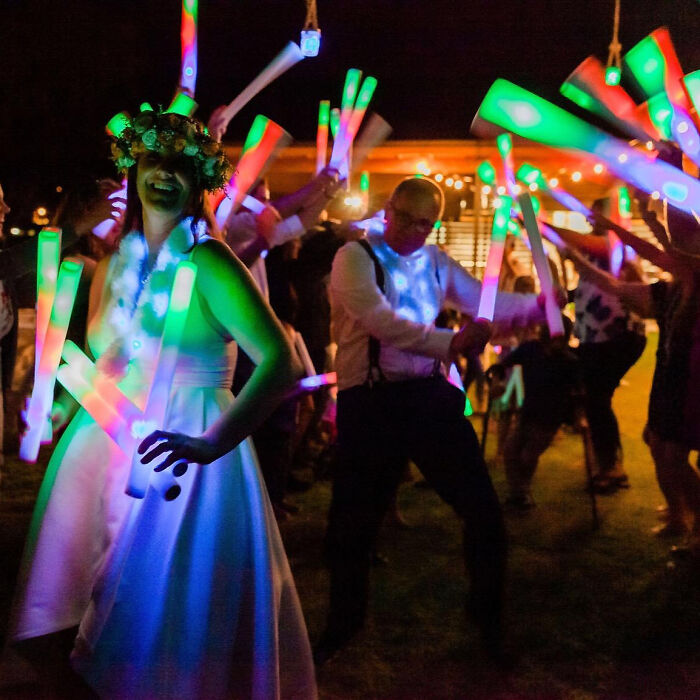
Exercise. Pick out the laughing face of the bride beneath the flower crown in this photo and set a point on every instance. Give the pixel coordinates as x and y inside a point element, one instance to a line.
<point>164,184</point>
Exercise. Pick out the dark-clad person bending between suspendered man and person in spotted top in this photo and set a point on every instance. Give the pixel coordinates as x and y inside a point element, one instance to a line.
<point>552,386</point>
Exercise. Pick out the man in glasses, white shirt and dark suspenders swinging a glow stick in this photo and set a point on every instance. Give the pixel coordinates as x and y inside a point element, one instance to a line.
<point>394,404</point>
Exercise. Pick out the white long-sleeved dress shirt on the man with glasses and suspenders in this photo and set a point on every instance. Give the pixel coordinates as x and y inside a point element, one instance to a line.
<point>417,286</point>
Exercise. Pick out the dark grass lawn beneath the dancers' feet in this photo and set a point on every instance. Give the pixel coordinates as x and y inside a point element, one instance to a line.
<point>594,614</point>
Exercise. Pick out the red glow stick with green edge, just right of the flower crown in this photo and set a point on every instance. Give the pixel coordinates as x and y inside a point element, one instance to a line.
<point>264,141</point>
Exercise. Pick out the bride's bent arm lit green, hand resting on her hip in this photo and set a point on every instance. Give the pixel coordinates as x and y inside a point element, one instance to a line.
<point>236,303</point>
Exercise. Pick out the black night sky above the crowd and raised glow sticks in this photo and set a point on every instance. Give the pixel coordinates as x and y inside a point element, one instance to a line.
<point>67,66</point>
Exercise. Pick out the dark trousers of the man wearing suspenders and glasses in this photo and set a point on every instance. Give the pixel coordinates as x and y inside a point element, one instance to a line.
<point>379,428</point>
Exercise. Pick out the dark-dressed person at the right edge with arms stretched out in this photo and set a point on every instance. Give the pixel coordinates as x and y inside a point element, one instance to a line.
<point>673,424</point>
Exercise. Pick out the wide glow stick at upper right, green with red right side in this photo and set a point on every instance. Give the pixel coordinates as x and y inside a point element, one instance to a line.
<point>655,66</point>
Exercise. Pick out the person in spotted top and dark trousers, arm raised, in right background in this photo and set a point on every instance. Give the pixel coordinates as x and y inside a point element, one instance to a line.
<point>611,339</point>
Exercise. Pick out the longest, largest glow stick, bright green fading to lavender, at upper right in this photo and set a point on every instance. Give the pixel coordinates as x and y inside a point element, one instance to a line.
<point>515,109</point>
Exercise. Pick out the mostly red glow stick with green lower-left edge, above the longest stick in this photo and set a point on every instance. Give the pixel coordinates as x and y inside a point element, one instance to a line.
<point>586,87</point>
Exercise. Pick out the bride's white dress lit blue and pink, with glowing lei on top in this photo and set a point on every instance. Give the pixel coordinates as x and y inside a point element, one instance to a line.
<point>191,598</point>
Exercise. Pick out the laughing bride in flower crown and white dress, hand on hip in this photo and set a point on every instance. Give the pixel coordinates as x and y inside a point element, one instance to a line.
<point>192,597</point>
